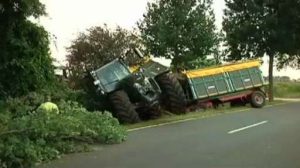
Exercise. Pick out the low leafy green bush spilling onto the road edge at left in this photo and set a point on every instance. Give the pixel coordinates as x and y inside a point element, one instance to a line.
<point>34,136</point>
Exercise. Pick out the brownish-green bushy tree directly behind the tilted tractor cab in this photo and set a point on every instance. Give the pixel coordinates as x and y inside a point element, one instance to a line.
<point>98,46</point>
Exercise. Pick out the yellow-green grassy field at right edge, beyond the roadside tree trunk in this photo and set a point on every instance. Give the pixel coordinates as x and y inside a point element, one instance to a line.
<point>287,89</point>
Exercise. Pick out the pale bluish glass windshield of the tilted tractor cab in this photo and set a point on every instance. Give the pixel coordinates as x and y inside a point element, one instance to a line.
<point>112,73</point>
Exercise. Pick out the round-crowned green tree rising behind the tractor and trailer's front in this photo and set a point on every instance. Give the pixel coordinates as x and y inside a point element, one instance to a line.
<point>181,30</point>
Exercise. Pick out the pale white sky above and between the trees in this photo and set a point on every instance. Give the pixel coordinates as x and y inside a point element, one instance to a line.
<point>66,18</point>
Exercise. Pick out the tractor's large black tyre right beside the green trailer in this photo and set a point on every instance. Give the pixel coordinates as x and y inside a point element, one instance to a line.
<point>173,97</point>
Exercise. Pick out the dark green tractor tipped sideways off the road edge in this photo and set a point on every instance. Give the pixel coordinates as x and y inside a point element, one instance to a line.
<point>138,92</point>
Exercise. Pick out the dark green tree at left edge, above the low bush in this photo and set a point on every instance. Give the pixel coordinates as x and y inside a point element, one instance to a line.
<point>26,64</point>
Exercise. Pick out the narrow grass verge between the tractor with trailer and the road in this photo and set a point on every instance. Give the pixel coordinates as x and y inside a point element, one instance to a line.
<point>167,119</point>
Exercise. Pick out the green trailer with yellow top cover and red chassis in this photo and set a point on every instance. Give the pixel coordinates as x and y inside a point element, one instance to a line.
<point>237,83</point>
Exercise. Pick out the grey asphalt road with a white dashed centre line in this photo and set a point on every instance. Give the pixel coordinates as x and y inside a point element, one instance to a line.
<point>259,138</point>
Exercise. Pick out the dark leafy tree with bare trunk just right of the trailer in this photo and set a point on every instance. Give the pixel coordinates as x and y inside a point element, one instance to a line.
<point>258,27</point>
